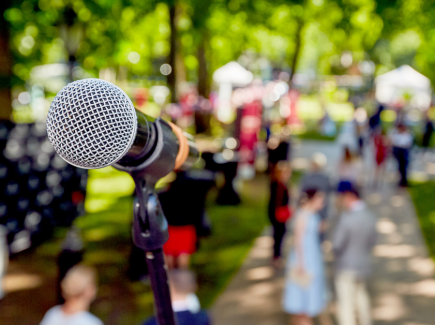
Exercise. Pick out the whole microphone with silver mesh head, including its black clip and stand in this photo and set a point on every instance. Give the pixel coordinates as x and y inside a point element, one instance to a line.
<point>91,124</point>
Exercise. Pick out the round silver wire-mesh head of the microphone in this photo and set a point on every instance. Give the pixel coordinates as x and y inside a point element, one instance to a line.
<point>91,123</point>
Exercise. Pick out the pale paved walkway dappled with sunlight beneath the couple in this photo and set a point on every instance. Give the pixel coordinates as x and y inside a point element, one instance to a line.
<point>402,287</point>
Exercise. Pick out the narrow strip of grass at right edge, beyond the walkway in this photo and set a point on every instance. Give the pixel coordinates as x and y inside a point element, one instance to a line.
<point>422,194</point>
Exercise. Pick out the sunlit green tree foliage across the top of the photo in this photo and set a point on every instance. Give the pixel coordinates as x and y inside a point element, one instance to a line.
<point>389,32</point>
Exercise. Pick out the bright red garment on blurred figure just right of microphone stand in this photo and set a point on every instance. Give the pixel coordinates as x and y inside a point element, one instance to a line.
<point>182,240</point>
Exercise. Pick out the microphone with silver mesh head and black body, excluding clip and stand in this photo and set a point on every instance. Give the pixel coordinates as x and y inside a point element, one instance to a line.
<point>92,124</point>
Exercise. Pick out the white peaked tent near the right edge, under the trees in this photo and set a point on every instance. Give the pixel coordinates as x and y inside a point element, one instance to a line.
<point>393,85</point>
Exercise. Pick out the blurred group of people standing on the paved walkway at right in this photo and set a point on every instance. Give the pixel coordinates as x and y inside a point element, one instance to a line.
<point>349,225</point>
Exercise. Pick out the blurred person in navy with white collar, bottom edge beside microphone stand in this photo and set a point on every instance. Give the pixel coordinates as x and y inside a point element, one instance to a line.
<point>184,302</point>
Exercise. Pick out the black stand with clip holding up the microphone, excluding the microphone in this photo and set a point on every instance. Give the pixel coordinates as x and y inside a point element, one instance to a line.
<point>150,228</point>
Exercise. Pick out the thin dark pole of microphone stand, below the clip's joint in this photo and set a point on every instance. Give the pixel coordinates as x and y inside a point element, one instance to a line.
<point>159,283</point>
